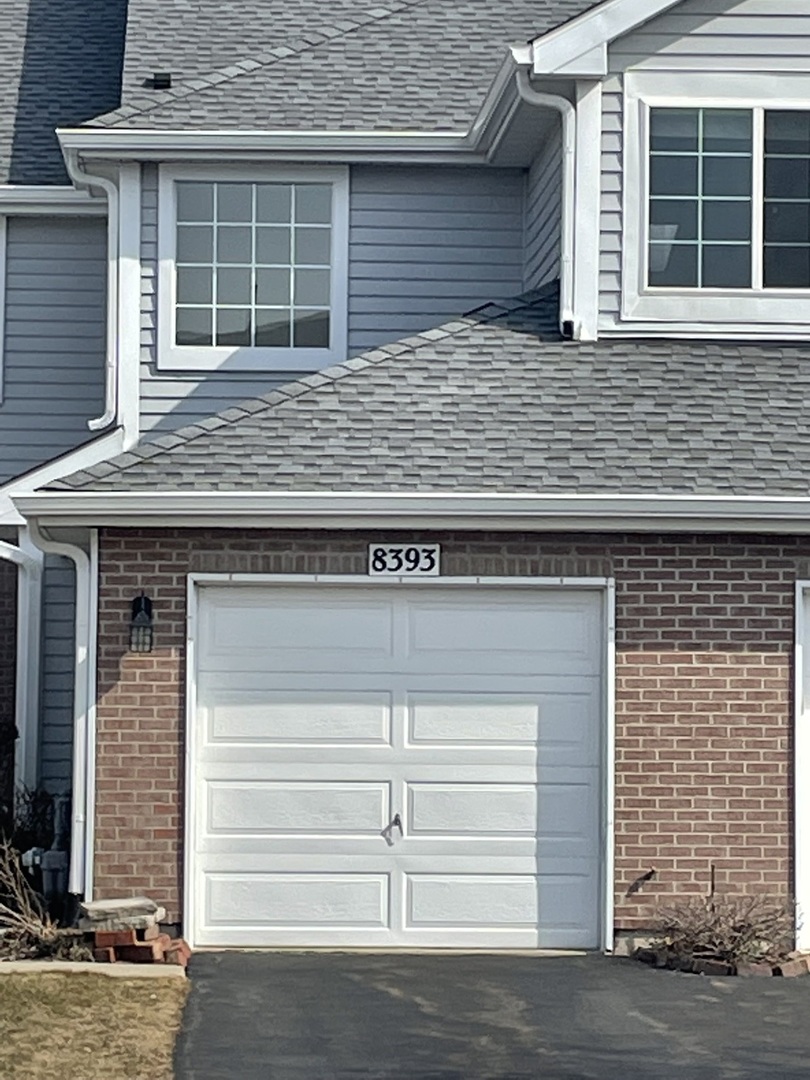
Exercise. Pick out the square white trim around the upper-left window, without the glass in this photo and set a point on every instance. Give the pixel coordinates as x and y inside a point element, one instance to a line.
<point>177,358</point>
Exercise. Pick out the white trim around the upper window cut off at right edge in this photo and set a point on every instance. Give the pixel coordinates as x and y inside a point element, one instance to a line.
<point>645,90</point>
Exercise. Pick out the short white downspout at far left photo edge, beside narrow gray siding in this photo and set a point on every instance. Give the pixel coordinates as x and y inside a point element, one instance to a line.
<point>26,697</point>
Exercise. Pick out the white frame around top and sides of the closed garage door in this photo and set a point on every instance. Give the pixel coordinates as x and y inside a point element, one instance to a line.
<point>607,586</point>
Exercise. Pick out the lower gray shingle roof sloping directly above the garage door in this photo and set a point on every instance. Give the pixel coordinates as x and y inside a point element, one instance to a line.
<point>495,401</point>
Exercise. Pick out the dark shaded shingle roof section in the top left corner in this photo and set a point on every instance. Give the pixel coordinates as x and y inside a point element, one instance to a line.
<point>61,63</point>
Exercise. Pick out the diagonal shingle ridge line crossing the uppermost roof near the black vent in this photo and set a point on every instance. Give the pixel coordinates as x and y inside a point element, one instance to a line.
<point>143,104</point>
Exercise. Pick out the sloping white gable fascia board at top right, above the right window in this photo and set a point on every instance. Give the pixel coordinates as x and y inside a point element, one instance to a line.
<point>584,42</point>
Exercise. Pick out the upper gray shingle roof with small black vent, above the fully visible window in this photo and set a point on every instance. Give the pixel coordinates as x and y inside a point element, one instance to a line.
<point>375,65</point>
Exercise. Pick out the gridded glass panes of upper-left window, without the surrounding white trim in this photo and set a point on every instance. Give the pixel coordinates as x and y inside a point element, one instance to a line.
<point>253,264</point>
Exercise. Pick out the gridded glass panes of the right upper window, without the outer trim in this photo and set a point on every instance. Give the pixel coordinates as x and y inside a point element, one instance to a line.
<point>728,199</point>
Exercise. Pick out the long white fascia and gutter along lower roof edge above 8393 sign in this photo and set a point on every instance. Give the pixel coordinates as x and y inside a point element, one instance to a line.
<point>428,510</point>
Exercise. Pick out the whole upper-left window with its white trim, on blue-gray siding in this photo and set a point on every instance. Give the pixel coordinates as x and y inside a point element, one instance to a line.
<point>253,269</point>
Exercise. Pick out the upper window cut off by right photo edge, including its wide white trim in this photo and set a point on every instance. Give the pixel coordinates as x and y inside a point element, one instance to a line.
<point>717,205</point>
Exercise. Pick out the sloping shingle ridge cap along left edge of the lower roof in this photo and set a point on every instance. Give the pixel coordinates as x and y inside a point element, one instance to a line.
<point>254,407</point>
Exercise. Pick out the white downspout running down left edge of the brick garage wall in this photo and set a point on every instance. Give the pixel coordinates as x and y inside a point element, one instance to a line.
<point>85,664</point>
